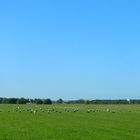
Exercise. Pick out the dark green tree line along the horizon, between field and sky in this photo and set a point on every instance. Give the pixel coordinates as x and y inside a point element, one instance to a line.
<point>61,101</point>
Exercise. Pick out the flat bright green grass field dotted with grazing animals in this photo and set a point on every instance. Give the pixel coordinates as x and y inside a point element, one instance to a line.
<point>103,122</point>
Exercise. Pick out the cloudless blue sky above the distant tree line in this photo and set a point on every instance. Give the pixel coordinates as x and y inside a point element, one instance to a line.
<point>70,49</point>
